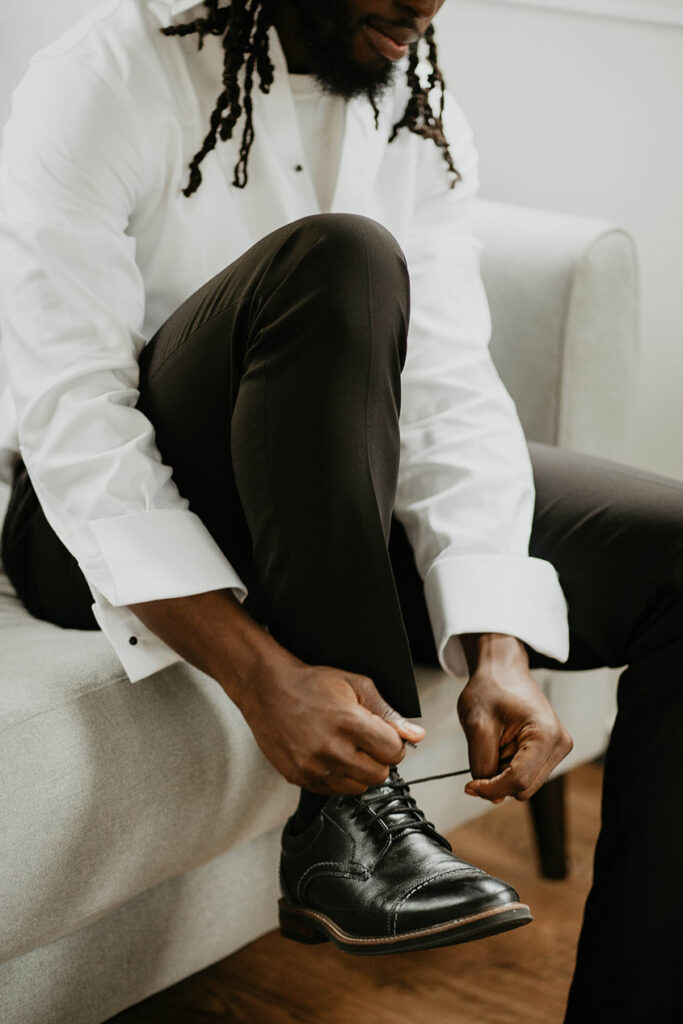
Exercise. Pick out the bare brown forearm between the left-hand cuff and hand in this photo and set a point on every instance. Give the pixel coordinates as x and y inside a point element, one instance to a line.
<point>217,634</point>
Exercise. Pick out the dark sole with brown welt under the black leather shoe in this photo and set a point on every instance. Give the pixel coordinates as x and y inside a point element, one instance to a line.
<point>312,927</point>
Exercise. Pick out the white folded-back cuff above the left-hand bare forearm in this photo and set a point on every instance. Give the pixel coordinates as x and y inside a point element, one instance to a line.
<point>145,557</point>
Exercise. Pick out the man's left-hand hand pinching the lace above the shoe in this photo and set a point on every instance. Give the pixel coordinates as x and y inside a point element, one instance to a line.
<point>325,730</point>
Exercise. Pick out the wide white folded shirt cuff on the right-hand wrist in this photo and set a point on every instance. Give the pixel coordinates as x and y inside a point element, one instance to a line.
<point>518,596</point>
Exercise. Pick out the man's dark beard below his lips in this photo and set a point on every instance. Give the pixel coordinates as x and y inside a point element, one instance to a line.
<point>327,32</point>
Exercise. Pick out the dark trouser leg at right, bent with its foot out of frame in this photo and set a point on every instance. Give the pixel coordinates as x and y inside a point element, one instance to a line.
<point>616,536</point>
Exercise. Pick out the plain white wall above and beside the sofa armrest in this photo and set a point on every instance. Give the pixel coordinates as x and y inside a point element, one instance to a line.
<point>584,114</point>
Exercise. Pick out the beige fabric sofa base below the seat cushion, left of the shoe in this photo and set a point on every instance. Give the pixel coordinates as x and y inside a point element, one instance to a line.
<point>147,945</point>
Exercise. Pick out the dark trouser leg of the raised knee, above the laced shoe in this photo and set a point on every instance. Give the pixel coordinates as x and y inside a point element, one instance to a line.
<point>275,393</point>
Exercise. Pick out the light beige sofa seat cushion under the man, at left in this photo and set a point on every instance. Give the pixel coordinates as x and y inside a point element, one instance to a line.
<point>110,788</point>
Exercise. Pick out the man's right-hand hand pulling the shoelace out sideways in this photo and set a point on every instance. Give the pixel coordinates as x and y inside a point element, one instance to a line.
<point>515,737</point>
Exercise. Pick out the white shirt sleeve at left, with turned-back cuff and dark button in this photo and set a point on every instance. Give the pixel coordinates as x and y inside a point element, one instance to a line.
<point>73,304</point>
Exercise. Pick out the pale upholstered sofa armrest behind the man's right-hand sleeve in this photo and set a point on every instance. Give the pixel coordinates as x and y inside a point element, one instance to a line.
<point>565,303</point>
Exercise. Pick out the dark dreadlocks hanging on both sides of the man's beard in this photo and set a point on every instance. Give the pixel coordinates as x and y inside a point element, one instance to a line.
<point>244,26</point>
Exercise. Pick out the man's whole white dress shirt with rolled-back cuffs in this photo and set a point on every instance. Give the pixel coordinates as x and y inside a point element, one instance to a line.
<point>99,247</point>
